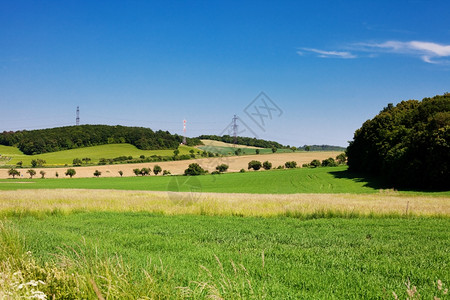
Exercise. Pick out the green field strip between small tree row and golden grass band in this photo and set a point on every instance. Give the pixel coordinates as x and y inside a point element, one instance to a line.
<point>289,181</point>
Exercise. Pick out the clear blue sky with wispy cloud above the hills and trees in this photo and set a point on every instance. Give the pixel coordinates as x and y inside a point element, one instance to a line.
<point>327,65</point>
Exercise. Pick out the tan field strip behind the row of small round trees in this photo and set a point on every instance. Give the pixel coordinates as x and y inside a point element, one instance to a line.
<point>177,167</point>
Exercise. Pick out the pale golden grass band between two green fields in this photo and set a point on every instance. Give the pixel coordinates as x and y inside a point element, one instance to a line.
<point>171,203</point>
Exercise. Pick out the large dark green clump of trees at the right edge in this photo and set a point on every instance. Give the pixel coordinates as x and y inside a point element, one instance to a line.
<point>408,144</point>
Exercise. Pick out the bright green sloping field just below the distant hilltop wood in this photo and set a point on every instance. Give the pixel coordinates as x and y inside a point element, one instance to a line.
<point>62,158</point>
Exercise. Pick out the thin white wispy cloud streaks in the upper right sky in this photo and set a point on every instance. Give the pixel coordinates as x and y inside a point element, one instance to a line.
<point>429,52</point>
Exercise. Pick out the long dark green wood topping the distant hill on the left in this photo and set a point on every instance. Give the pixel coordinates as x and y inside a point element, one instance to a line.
<point>71,137</point>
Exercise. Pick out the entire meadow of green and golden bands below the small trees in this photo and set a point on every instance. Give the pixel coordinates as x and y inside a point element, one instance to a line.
<point>302,233</point>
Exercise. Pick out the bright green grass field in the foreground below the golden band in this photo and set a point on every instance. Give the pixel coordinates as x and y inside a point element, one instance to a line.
<point>131,255</point>
